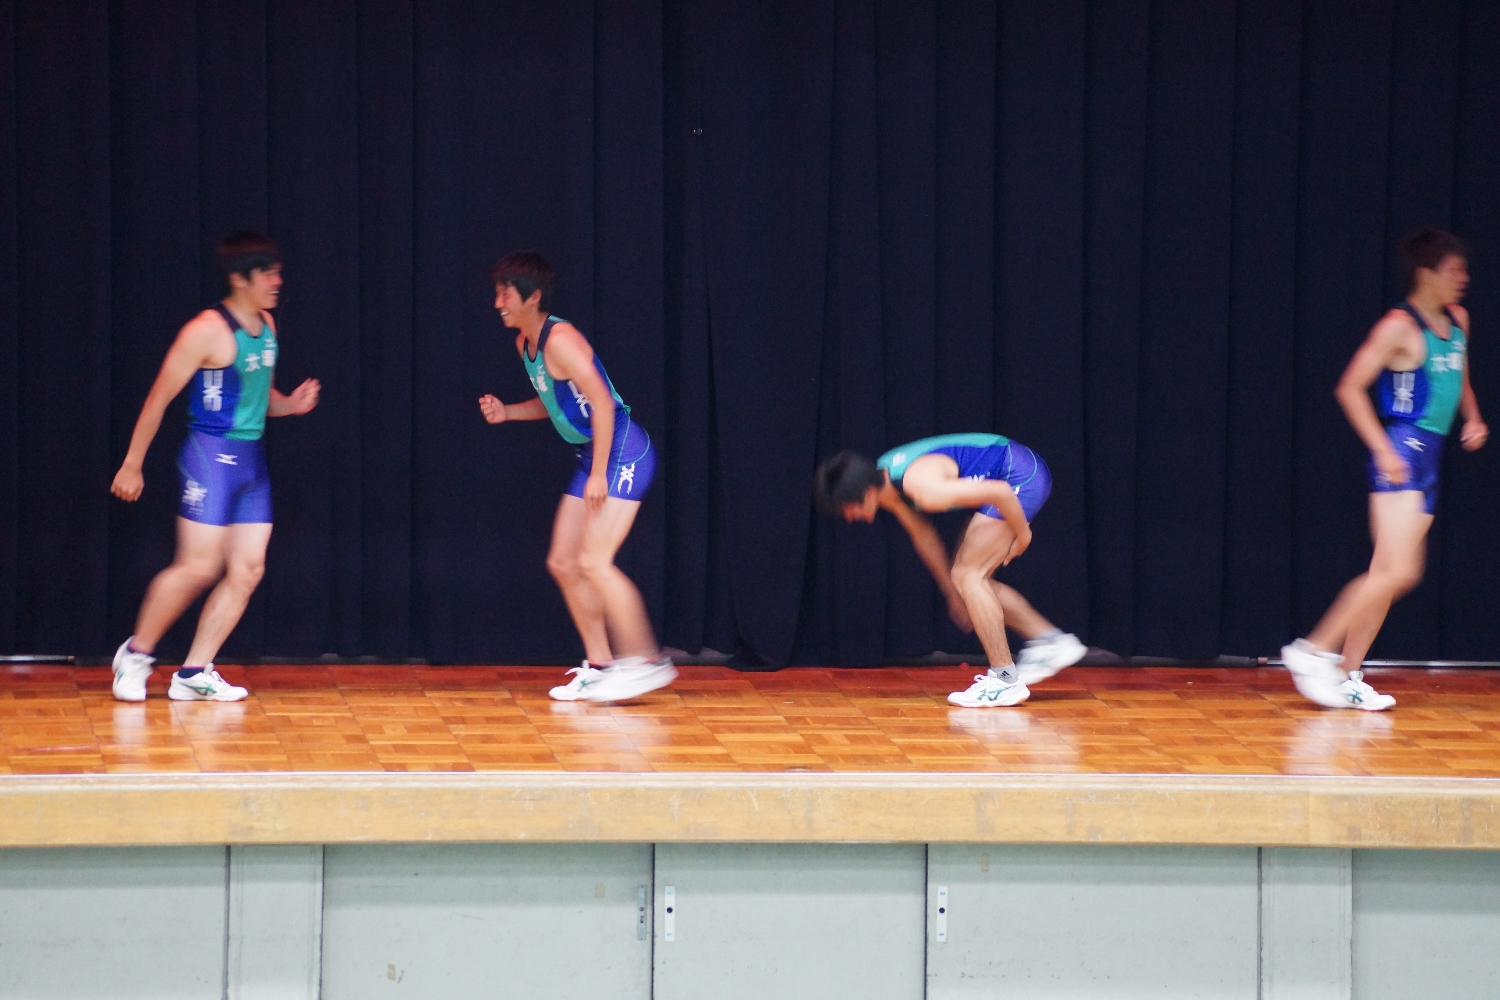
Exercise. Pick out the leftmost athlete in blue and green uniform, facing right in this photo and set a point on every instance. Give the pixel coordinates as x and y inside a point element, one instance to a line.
<point>226,359</point>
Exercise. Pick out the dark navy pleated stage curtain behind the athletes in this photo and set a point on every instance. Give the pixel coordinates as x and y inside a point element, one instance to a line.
<point>1139,238</point>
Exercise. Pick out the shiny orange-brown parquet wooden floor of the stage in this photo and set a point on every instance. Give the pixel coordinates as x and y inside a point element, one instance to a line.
<point>62,720</point>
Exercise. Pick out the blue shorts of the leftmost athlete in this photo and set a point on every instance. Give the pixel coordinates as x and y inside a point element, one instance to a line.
<point>224,482</point>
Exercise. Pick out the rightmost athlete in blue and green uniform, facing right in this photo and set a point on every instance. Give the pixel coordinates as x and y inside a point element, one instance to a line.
<point>1418,358</point>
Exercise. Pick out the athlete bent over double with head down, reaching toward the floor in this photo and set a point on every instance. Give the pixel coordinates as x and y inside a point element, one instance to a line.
<point>1007,485</point>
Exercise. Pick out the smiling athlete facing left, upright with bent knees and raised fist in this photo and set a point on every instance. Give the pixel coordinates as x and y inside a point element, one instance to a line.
<point>599,507</point>
